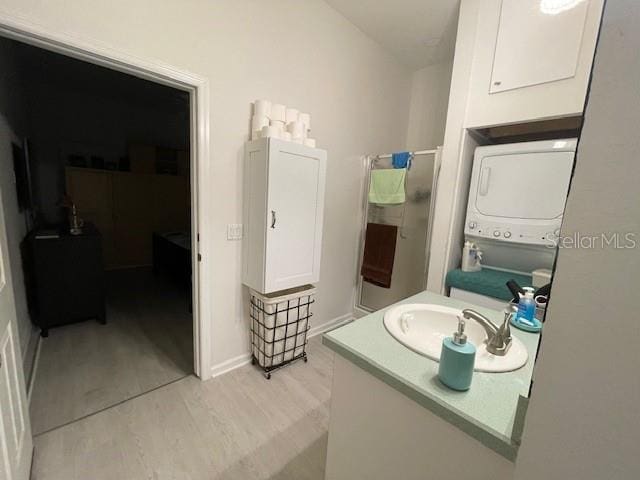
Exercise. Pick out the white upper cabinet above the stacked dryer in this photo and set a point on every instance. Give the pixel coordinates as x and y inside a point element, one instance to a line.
<point>532,60</point>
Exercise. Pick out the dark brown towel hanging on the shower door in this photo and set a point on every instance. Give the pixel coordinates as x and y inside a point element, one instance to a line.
<point>379,253</point>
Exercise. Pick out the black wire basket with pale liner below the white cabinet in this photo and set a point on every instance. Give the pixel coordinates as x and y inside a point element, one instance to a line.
<point>279,326</point>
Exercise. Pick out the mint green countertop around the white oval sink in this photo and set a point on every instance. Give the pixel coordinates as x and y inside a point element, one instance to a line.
<point>486,412</point>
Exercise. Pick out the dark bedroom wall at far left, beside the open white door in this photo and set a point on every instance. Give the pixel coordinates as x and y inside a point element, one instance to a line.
<point>13,122</point>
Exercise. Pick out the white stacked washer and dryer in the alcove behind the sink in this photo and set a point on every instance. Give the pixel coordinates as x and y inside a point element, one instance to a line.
<point>516,202</point>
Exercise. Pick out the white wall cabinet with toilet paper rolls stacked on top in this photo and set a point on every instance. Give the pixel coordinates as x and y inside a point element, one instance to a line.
<point>283,213</point>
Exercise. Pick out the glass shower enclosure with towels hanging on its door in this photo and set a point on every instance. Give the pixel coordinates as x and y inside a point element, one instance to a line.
<point>413,220</point>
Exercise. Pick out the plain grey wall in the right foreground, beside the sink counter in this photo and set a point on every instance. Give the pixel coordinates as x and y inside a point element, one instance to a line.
<point>583,419</point>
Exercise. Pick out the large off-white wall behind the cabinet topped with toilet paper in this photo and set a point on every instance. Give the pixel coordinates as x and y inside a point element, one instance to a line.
<point>299,53</point>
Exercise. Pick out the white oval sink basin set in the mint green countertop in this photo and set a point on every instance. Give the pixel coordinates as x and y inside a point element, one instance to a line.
<point>422,327</point>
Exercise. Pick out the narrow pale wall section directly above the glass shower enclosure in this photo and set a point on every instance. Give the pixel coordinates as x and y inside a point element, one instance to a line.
<point>428,108</point>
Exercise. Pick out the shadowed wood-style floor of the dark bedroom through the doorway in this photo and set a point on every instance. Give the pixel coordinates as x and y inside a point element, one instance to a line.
<point>86,367</point>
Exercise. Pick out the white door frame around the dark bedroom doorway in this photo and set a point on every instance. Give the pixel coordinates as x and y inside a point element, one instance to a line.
<point>198,89</point>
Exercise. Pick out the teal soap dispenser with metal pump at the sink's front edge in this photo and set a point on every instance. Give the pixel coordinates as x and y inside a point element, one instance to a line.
<point>457,359</point>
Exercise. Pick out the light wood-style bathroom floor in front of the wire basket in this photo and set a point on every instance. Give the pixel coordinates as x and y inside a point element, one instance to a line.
<point>236,426</point>
